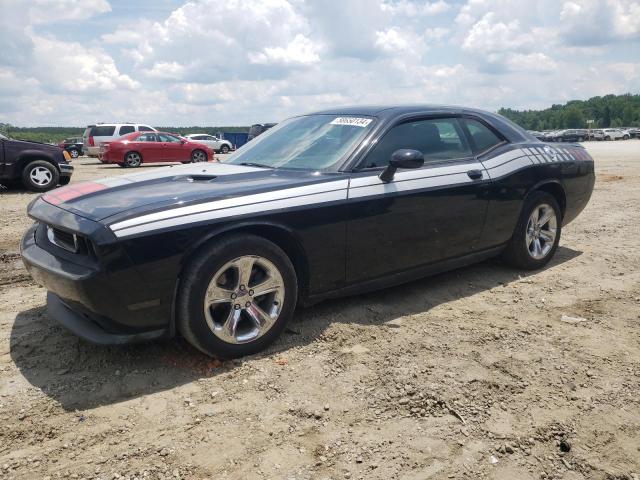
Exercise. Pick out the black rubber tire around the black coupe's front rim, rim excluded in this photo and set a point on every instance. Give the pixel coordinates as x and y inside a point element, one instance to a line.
<point>198,273</point>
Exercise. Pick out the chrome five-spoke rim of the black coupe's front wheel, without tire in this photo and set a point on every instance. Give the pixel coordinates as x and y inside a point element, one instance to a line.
<point>244,299</point>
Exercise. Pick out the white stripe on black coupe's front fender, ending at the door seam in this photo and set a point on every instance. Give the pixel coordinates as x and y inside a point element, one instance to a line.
<point>256,203</point>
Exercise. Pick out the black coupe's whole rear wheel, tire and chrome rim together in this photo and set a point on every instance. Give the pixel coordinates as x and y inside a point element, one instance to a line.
<point>535,239</point>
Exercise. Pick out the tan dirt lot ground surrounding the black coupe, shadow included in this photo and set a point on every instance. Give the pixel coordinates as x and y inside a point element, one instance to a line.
<point>470,374</point>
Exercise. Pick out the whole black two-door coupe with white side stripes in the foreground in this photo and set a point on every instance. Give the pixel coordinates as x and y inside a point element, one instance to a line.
<point>322,205</point>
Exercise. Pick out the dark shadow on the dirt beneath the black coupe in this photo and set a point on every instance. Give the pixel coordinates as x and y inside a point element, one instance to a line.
<point>79,375</point>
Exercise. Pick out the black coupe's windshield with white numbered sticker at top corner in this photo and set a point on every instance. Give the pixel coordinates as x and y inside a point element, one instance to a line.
<point>312,142</point>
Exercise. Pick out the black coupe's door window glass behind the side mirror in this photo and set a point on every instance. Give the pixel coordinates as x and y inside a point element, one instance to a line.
<point>437,138</point>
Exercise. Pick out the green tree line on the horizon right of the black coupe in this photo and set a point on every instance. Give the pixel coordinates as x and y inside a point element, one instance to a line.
<point>607,111</point>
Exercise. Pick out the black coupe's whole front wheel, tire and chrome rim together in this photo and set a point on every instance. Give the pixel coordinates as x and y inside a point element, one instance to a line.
<point>236,296</point>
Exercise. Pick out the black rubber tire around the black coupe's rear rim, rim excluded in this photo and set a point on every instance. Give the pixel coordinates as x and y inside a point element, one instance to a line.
<point>518,252</point>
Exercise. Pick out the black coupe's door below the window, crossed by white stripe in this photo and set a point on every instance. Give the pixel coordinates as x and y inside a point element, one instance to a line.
<point>421,217</point>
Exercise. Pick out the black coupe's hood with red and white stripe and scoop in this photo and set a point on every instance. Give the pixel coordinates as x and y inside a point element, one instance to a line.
<point>116,199</point>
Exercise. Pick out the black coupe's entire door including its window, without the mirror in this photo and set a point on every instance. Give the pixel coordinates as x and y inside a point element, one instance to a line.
<point>423,215</point>
